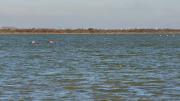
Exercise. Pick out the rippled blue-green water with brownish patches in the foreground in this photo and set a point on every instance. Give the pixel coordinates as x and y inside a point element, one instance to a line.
<point>90,67</point>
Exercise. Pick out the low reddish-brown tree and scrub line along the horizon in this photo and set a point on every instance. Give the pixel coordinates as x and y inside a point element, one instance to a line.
<point>89,30</point>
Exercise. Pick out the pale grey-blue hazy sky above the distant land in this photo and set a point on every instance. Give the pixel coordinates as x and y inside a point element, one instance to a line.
<point>90,13</point>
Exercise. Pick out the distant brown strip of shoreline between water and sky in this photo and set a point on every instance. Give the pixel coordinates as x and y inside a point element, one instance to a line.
<point>87,31</point>
